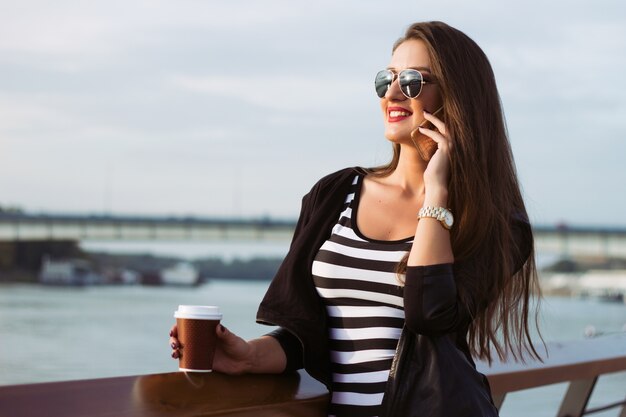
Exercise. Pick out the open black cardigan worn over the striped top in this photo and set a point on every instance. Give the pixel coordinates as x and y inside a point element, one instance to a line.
<point>435,322</point>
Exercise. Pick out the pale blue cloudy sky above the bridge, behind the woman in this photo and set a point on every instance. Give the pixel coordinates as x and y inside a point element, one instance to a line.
<point>208,108</point>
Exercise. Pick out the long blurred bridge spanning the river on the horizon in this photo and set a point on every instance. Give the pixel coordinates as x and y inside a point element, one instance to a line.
<point>563,240</point>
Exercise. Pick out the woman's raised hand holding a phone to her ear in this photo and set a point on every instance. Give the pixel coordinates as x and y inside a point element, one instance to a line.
<point>437,172</point>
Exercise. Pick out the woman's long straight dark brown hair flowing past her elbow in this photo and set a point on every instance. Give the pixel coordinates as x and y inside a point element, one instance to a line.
<point>484,196</point>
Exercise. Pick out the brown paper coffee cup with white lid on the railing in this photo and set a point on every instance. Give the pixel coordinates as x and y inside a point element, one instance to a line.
<point>196,334</point>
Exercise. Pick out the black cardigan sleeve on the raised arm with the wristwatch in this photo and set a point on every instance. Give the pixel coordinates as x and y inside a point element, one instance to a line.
<point>431,302</point>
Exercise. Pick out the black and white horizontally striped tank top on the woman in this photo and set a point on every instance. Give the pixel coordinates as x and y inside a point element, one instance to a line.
<point>356,278</point>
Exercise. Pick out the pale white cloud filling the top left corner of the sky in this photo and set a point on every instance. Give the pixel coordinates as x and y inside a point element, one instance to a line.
<point>72,36</point>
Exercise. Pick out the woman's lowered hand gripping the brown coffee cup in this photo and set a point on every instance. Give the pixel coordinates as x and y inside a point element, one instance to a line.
<point>233,355</point>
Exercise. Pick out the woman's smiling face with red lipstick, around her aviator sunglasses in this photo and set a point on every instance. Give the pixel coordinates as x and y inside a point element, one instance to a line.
<point>403,115</point>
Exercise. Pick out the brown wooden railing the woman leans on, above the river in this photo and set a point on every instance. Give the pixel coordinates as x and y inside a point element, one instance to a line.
<point>580,363</point>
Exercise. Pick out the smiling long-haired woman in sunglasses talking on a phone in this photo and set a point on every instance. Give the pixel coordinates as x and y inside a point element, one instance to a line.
<point>392,270</point>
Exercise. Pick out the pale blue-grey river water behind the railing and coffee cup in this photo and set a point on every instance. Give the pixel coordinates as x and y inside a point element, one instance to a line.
<point>60,333</point>
